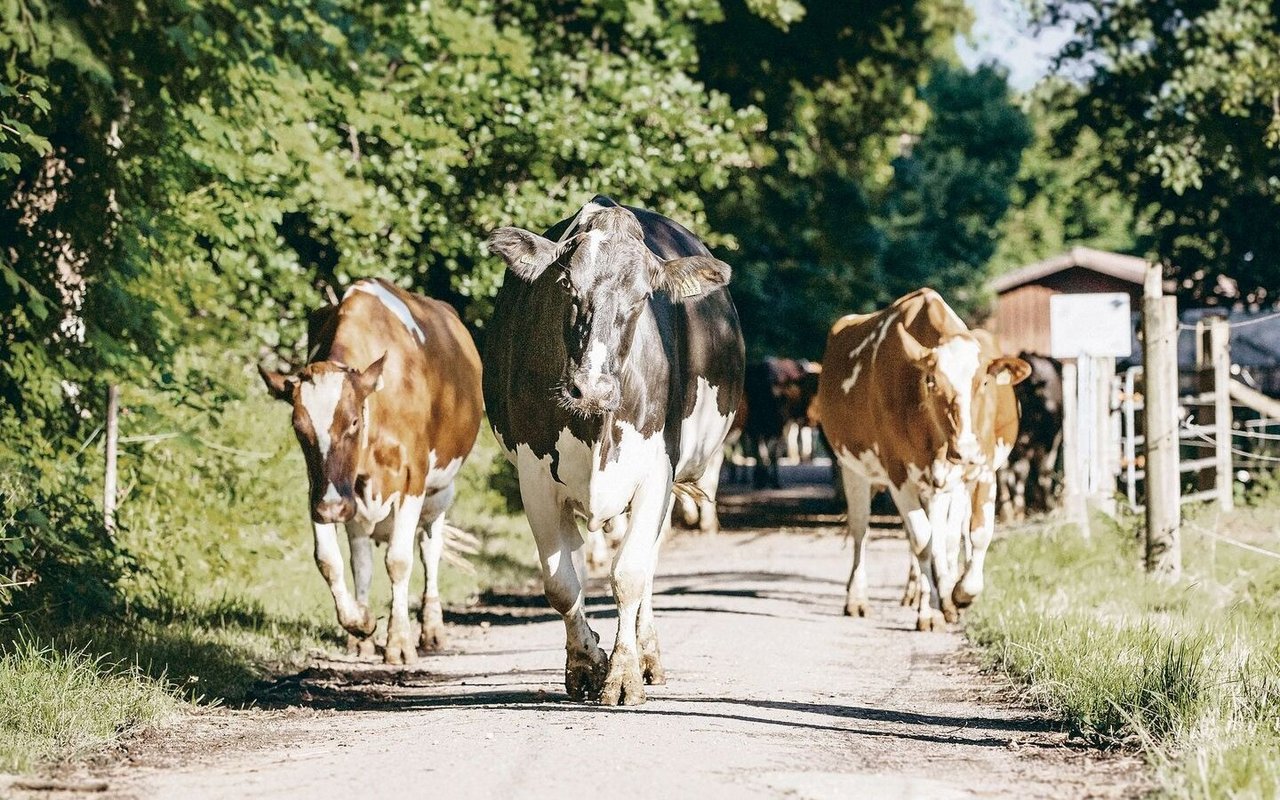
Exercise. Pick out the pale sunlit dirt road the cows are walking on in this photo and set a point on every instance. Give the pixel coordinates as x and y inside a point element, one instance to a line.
<point>771,694</point>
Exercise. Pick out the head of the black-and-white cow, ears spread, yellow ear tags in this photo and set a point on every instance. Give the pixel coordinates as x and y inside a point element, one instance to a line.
<point>607,273</point>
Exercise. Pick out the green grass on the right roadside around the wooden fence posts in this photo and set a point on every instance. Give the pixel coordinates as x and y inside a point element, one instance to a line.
<point>1190,673</point>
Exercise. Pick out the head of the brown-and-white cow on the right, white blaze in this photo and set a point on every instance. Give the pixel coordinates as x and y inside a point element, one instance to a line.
<point>952,377</point>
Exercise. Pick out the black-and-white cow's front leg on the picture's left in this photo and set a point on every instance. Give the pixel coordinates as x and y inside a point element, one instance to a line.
<point>557,537</point>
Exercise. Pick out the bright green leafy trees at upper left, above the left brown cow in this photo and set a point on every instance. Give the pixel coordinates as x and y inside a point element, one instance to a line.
<point>182,181</point>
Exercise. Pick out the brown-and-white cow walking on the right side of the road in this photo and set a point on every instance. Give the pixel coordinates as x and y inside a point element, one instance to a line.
<point>897,400</point>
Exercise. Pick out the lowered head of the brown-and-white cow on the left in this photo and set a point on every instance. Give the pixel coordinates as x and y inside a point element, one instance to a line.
<point>328,403</point>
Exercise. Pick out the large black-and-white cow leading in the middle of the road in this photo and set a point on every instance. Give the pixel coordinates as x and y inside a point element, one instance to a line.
<point>614,367</point>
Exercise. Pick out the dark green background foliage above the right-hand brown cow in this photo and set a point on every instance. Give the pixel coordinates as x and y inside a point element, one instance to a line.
<point>834,217</point>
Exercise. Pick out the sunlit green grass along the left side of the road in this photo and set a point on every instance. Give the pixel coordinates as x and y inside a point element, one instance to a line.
<point>223,593</point>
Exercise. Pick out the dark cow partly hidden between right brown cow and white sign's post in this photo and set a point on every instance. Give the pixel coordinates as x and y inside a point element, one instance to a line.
<point>1030,481</point>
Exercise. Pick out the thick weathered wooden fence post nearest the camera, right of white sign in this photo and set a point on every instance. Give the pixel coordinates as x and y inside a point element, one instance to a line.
<point>1160,420</point>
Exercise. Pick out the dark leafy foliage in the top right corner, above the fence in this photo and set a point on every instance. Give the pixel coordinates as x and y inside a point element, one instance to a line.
<point>1183,95</point>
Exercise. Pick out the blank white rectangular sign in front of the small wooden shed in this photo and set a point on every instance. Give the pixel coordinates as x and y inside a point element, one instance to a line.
<point>1090,326</point>
